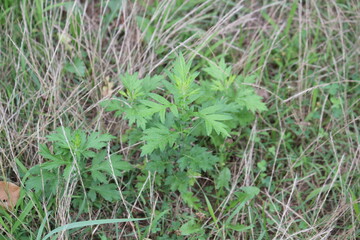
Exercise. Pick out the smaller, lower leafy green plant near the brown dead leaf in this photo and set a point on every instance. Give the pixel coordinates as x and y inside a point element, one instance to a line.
<point>80,158</point>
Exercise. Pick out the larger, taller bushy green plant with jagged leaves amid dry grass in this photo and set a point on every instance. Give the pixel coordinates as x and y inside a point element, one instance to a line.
<point>177,118</point>
